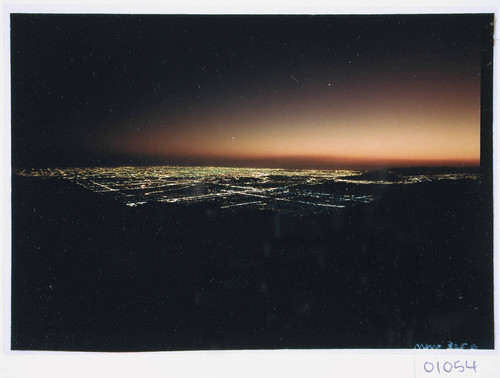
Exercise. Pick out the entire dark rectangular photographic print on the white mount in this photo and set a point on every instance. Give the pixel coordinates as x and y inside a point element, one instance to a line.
<point>229,182</point>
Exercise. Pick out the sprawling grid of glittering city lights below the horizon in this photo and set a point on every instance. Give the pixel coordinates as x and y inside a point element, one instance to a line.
<point>297,191</point>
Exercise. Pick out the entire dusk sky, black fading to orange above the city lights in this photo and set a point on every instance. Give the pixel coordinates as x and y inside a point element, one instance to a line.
<point>267,91</point>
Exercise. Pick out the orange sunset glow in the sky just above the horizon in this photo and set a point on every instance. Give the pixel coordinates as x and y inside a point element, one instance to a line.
<point>396,124</point>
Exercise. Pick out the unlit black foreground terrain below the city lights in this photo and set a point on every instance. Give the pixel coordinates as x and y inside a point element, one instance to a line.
<point>413,266</point>
